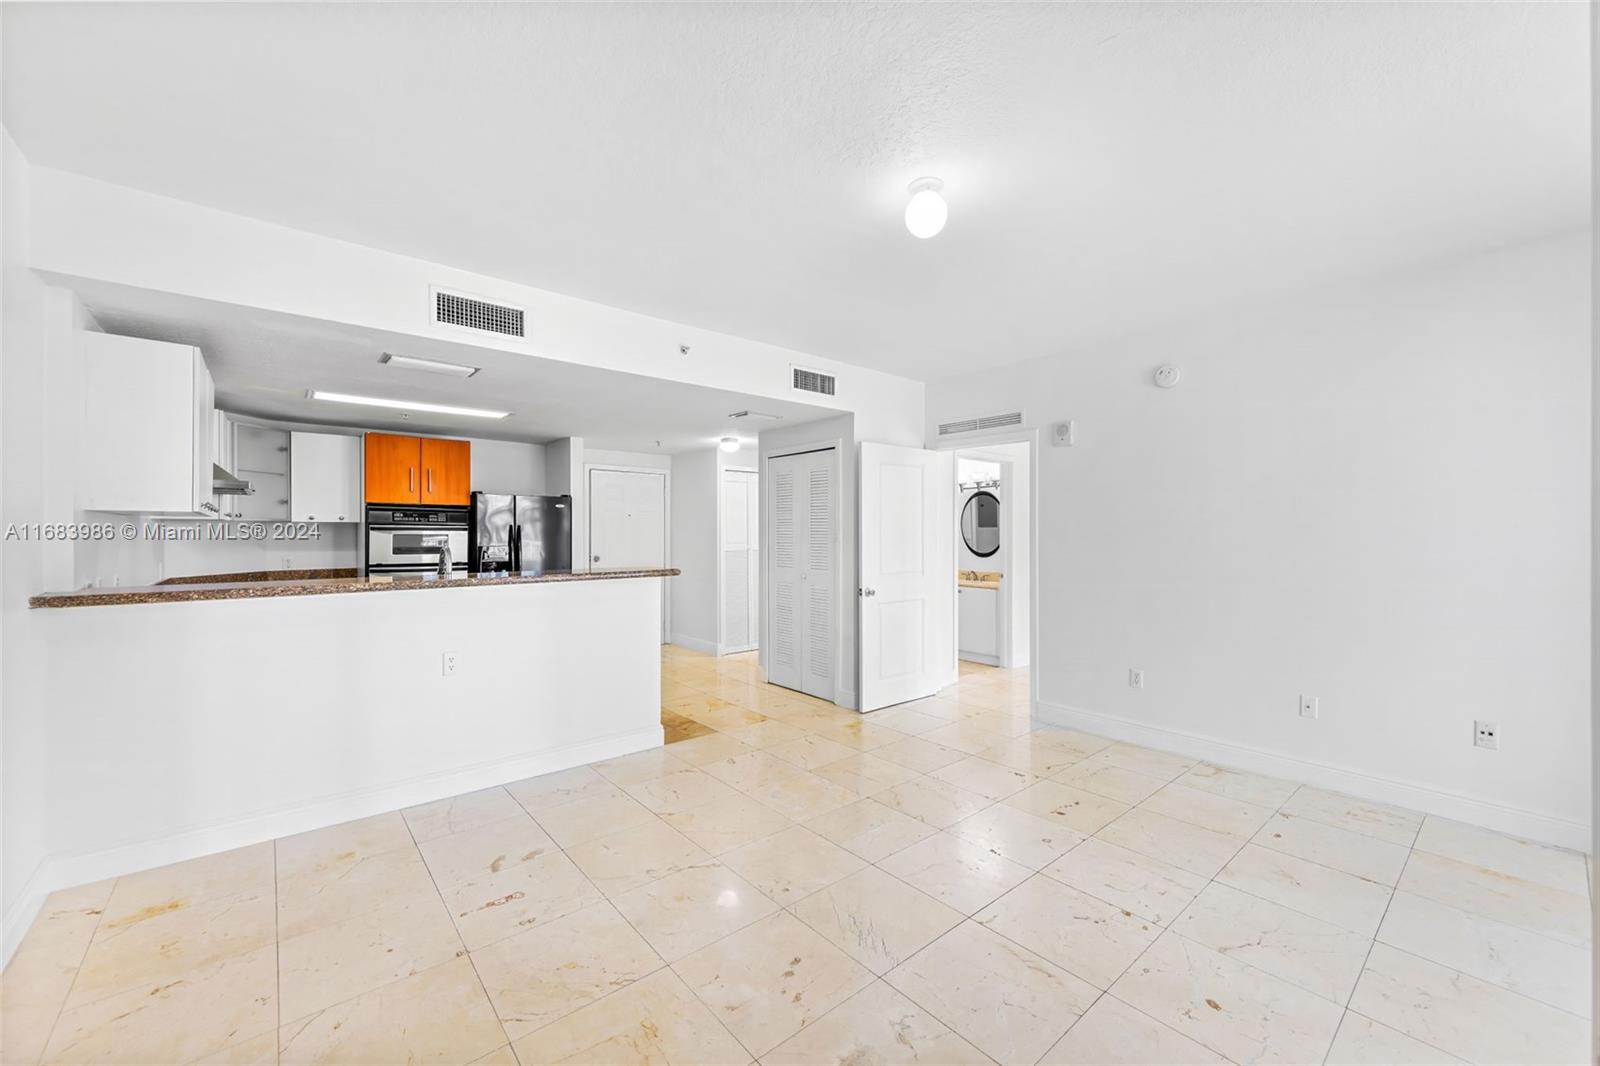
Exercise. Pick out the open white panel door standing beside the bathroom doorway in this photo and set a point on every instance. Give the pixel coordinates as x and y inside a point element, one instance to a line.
<point>908,567</point>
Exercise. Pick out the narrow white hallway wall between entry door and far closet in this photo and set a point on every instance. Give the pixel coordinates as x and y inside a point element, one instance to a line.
<point>695,508</point>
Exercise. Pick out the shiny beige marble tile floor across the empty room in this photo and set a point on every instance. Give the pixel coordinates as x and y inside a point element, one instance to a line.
<point>788,883</point>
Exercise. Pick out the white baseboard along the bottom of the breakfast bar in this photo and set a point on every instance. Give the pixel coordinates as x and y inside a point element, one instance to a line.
<point>65,872</point>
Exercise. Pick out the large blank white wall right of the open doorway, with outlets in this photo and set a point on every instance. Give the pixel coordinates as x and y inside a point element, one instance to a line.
<point>1377,497</point>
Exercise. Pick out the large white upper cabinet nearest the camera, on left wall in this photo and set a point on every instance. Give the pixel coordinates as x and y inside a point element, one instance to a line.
<point>148,422</point>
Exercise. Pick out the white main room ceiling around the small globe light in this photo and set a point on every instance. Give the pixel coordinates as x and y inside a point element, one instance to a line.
<point>743,167</point>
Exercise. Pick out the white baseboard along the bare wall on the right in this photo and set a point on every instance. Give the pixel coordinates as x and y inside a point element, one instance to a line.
<point>1398,793</point>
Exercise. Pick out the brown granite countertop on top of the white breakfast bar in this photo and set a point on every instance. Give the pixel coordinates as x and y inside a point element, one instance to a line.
<point>183,590</point>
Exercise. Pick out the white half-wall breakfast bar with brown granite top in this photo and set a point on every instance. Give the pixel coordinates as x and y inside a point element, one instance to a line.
<point>223,713</point>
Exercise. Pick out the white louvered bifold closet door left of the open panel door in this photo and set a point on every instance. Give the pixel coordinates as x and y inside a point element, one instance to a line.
<point>804,574</point>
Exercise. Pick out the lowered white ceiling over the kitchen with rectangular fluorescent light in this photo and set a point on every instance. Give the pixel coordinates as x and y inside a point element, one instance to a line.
<point>265,364</point>
